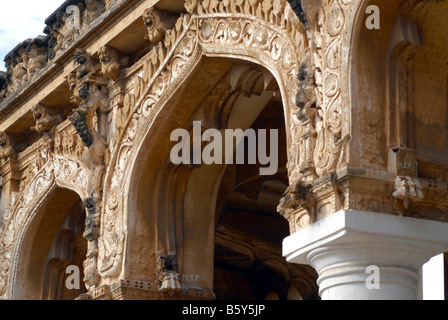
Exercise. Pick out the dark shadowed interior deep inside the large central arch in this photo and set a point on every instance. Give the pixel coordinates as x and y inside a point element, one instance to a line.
<point>249,231</point>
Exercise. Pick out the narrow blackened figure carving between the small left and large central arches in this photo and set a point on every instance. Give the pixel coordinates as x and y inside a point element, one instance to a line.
<point>89,120</point>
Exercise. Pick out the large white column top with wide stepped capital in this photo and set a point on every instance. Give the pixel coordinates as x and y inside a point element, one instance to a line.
<point>367,256</point>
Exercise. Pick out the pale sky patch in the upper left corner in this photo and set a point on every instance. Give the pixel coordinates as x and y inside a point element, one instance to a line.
<point>21,20</point>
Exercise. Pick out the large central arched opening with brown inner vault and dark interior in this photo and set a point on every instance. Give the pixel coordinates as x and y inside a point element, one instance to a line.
<point>189,214</point>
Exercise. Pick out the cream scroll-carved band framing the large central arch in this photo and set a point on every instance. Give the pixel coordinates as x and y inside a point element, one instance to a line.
<point>259,32</point>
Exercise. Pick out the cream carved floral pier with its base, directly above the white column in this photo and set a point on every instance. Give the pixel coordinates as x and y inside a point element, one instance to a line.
<point>319,132</point>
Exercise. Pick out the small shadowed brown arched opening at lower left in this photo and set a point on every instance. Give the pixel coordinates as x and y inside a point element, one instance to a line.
<point>53,242</point>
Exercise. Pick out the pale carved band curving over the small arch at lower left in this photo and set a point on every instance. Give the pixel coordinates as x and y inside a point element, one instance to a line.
<point>58,175</point>
